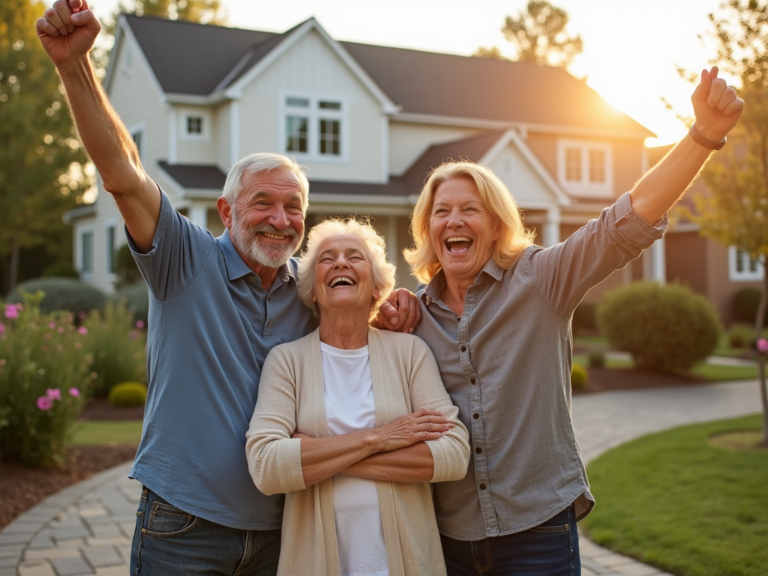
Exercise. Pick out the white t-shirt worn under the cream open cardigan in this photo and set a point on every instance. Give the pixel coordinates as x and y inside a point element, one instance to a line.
<point>349,407</point>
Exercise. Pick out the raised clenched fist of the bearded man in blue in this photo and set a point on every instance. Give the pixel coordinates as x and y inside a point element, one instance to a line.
<point>68,30</point>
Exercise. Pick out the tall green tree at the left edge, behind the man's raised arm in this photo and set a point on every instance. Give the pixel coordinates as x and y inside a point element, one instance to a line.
<point>41,159</point>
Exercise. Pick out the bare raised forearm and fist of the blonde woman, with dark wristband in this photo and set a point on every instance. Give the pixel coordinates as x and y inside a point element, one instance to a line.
<point>717,110</point>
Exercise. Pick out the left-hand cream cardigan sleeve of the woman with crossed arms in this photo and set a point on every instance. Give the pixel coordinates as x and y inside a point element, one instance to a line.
<point>274,458</point>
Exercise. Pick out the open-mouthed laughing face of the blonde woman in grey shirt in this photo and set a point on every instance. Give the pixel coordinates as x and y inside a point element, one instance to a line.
<point>461,229</point>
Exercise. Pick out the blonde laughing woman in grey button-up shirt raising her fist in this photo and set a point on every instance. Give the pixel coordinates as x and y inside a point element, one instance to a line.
<point>496,312</point>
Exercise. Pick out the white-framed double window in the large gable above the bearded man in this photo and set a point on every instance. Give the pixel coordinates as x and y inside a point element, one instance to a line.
<point>313,128</point>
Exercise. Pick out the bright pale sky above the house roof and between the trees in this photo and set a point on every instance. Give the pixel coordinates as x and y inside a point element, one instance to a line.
<point>631,47</point>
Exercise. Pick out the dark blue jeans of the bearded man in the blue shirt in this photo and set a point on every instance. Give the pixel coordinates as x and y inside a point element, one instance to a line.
<point>170,542</point>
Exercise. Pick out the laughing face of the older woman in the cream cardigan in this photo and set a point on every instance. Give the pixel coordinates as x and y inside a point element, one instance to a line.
<point>344,277</point>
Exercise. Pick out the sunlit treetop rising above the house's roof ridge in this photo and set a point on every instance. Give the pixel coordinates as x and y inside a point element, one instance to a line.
<point>539,36</point>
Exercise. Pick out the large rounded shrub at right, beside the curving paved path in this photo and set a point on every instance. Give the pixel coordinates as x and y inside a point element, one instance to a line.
<point>668,328</point>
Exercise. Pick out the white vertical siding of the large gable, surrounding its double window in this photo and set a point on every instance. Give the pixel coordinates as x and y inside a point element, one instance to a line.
<point>311,68</point>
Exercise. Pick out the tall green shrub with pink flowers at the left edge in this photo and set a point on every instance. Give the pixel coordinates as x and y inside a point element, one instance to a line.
<point>44,370</point>
